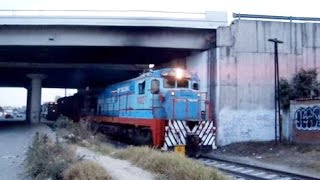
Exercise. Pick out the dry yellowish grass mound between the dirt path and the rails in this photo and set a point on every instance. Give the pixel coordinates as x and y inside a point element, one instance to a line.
<point>169,165</point>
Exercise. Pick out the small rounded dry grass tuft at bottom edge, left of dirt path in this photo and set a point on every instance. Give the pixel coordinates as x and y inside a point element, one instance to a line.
<point>85,170</point>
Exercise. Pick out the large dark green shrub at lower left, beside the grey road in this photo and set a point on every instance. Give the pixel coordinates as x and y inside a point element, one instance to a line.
<point>47,159</point>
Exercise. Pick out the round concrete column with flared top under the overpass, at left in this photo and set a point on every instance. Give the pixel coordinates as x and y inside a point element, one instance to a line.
<point>35,103</point>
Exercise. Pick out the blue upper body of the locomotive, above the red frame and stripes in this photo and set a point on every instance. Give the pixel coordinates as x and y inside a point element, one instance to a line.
<point>170,94</point>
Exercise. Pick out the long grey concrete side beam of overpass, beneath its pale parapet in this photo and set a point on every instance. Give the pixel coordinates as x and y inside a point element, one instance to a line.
<point>38,35</point>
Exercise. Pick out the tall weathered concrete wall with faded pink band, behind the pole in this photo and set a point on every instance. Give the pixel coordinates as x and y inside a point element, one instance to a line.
<point>245,74</point>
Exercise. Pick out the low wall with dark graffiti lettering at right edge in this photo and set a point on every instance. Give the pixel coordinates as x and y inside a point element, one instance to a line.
<point>305,121</point>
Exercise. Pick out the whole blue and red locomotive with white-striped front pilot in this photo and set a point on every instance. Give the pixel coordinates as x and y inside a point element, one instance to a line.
<point>162,108</point>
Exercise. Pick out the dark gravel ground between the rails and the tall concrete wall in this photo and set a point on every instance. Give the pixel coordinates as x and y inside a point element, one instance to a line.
<point>296,158</point>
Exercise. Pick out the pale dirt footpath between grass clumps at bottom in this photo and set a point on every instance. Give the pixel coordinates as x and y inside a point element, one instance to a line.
<point>118,169</point>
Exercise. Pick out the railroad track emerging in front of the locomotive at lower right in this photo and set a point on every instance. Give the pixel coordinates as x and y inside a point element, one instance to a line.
<point>245,171</point>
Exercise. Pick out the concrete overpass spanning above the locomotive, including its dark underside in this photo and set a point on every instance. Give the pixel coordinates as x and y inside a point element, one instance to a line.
<point>80,51</point>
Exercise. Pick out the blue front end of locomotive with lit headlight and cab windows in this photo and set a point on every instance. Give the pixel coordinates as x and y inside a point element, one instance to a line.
<point>181,98</point>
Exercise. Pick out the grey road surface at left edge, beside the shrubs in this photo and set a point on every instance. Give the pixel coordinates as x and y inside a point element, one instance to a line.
<point>14,141</point>
